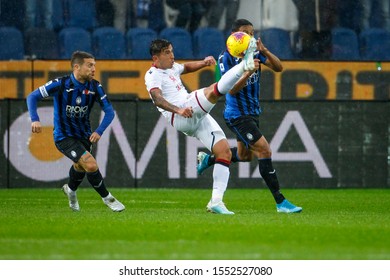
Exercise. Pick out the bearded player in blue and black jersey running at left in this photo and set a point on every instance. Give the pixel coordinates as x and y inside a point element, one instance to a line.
<point>74,97</point>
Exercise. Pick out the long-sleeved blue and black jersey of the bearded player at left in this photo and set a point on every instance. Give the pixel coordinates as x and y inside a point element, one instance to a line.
<point>73,102</point>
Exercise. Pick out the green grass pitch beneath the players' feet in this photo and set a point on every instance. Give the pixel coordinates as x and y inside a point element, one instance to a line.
<point>172,224</point>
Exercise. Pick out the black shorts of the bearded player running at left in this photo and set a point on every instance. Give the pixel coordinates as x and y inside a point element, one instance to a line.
<point>74,148</point>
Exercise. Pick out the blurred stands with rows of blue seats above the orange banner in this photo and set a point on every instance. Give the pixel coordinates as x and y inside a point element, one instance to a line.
<point>123,29</point>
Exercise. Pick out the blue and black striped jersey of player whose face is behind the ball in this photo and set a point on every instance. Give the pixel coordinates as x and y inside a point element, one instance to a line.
<point>247,100</point>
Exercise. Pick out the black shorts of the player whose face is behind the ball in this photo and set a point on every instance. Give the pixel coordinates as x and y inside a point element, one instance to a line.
<point>246,129</point>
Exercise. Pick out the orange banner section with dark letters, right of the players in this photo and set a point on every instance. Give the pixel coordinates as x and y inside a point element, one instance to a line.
<point>334,80</point>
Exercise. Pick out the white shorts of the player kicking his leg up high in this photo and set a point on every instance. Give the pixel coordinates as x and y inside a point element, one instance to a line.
<point>201,125</point>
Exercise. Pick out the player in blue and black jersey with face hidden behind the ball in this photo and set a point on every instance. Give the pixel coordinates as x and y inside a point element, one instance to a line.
<point>241,114</point>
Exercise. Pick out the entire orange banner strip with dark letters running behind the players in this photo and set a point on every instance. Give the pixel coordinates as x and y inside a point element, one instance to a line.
<point>308,80</point>
